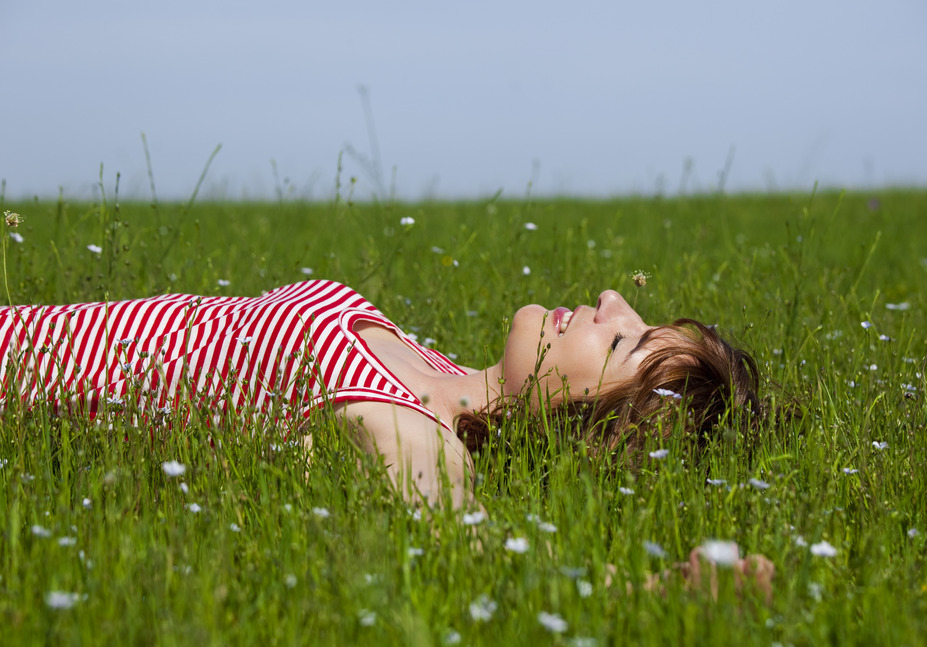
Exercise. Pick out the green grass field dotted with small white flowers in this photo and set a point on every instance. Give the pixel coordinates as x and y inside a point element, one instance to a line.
<point>99,544</point>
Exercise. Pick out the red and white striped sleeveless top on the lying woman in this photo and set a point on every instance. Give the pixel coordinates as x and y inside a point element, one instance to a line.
<point>293,347</point>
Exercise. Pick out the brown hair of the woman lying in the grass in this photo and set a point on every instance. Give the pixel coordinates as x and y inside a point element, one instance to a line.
<point>692,367</point>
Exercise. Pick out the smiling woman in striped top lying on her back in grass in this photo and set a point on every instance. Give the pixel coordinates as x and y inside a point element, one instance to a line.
<point>317,343</point>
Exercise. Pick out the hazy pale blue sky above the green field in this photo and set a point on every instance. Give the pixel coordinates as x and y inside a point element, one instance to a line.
<point>460,100</point>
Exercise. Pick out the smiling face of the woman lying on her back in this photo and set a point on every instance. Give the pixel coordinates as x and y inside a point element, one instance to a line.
<point>589,346</point>
